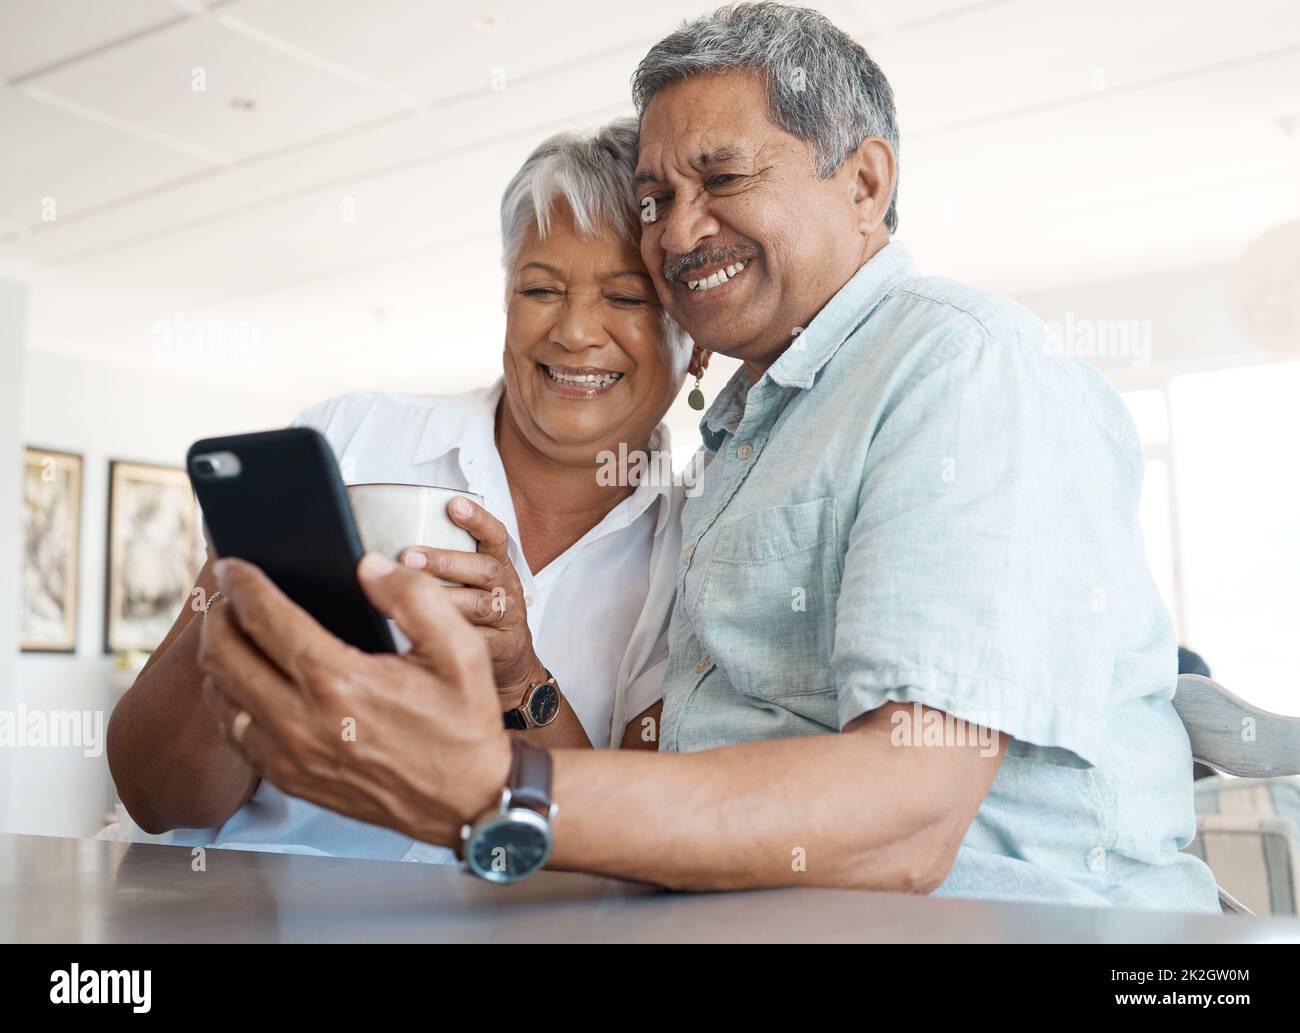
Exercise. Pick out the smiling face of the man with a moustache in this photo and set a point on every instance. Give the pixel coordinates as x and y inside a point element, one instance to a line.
<point>744,241</point>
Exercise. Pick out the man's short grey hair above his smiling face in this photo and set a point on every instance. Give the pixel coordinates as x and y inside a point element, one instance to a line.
<point>822,86</point>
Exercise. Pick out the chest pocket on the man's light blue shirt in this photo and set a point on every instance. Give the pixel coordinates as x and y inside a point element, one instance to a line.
<point>766,610</point>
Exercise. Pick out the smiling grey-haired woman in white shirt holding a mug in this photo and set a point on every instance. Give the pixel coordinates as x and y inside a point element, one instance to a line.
<point>584,561</point>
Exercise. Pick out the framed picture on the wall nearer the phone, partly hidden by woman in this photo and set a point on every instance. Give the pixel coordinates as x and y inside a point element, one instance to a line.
<point>153,554</point>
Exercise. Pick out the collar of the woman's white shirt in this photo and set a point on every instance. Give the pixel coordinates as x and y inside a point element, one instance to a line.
<point>469,423</point>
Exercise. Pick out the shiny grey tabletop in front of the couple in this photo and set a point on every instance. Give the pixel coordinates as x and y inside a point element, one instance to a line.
<point>85,891</point>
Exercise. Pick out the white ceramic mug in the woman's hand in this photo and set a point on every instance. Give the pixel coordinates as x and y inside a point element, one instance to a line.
<point>392,518</point>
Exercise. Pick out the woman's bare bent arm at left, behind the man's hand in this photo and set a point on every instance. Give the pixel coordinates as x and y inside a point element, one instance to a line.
<point>170,759</point>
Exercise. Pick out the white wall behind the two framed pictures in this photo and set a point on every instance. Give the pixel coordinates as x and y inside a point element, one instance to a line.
<point>102,413</point>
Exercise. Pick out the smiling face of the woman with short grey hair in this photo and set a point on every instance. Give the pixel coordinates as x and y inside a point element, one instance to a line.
<point>588,362</point>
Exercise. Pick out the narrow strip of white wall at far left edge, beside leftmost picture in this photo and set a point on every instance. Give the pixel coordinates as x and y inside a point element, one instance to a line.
<point>14,301</point>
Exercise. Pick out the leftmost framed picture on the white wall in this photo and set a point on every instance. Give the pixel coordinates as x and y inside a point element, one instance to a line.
<point>51,548</point>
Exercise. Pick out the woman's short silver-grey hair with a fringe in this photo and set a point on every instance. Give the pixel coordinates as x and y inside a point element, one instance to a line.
<point>593,175</point>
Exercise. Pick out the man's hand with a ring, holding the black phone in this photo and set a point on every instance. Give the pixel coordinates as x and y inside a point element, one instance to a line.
<point>411,743</point>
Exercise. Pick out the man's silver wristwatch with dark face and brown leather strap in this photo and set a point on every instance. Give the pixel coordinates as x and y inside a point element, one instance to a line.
<point>514,841</point>
